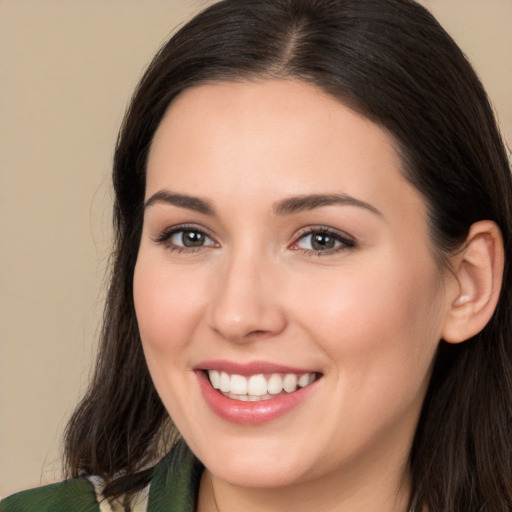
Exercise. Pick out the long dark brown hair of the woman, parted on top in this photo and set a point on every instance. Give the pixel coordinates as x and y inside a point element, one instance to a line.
<point>392,62</point>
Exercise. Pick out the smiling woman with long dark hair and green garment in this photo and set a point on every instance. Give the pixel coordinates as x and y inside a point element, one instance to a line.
<point>310,275</point>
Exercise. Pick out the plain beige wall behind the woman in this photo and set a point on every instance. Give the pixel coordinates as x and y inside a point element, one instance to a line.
<point>67,68</point>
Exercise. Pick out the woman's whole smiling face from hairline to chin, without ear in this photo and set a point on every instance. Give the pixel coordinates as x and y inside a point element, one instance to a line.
<point>286,291</point>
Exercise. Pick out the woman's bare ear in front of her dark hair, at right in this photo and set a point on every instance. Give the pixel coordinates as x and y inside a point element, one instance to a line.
<point>478,272</point>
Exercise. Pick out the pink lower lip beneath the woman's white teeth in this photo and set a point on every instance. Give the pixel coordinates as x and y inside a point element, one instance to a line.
<point>250,413</point>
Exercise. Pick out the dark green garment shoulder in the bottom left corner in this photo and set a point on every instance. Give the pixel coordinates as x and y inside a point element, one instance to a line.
<point>75,495</point>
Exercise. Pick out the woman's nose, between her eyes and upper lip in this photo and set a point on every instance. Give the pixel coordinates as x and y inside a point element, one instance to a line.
<point>246,303</point>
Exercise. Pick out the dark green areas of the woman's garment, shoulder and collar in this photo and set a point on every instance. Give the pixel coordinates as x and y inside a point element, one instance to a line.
<point>174,487</point>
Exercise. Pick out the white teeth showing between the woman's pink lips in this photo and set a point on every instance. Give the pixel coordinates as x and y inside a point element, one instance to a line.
<point>259,387</point>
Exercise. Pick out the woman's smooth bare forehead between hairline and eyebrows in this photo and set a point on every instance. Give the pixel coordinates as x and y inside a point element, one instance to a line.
<point>273,138</point>
